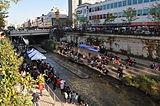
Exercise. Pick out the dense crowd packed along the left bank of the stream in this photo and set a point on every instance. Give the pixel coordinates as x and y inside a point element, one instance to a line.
<point>51,76</point>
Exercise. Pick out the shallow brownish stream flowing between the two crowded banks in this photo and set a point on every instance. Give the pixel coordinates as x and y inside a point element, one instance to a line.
<point>99,91</point>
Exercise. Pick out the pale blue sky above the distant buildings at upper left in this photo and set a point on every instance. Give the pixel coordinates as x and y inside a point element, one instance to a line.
<point>29,9</point>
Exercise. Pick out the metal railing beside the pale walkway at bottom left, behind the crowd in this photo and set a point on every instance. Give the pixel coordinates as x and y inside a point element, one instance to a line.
<point>52,94</point>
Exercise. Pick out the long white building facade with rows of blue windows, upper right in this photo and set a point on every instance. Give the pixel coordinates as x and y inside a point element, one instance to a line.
<point>96,13</point>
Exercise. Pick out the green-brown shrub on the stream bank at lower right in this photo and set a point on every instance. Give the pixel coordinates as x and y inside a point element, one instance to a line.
<point>146,83</point>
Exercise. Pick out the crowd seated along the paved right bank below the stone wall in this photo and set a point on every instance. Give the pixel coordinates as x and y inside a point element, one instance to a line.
<point>98,62</point>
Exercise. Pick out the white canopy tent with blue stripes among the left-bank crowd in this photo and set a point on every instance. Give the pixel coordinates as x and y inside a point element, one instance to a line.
<point>34,54</point>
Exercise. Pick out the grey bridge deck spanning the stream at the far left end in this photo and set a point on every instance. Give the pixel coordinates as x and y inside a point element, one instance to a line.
<point>29,33</point>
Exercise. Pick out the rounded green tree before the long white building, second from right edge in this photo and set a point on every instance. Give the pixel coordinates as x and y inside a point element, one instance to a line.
<point>130,15</point>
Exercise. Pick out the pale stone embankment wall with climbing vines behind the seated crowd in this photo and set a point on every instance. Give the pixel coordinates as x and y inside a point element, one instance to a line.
<point>136,45</point>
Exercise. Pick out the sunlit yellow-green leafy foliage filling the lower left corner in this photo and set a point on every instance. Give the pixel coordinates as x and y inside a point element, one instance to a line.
<point>12,83</point>
